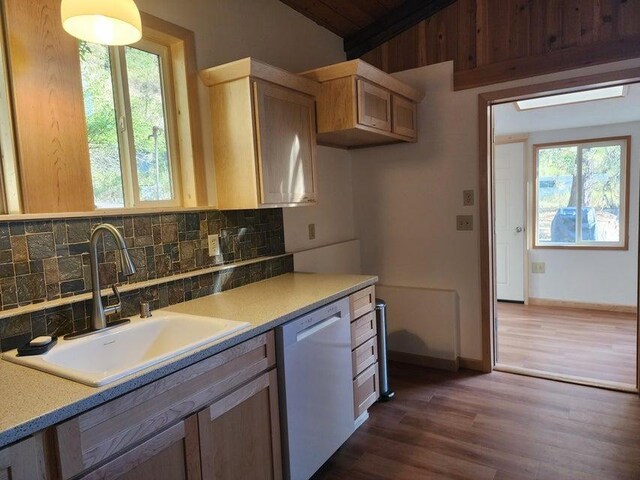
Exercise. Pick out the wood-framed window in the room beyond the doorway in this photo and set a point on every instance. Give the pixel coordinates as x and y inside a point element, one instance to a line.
<point>581,193</point>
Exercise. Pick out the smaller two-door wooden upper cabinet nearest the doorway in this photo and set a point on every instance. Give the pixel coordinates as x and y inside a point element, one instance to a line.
<point>359,106</point>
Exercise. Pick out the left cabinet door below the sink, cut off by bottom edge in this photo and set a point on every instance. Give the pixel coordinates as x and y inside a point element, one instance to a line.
<point>173,454</point>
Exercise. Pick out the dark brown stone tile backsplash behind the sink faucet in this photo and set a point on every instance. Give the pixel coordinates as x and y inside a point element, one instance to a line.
<point>44,260</point>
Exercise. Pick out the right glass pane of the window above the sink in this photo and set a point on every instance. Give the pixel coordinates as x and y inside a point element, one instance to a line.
<point>152,161</point>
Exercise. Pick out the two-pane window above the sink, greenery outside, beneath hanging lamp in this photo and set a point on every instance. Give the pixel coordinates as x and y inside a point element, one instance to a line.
<point>129,111</point>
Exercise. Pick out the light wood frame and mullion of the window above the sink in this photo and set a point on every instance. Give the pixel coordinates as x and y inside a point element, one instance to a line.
<point>176,48</point>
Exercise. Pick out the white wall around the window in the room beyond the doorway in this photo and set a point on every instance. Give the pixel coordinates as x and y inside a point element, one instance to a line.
<point>590,276</point>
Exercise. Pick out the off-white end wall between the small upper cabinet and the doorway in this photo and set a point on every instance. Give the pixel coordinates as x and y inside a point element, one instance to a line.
<point>406,198</point>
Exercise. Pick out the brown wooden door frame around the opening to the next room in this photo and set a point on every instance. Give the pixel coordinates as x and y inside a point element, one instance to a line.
<point>486,196</point>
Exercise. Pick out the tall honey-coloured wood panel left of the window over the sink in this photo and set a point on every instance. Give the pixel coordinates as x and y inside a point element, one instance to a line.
<point>49,118</point>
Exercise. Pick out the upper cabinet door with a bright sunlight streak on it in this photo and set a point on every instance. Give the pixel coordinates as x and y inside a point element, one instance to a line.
<point>286,136</point>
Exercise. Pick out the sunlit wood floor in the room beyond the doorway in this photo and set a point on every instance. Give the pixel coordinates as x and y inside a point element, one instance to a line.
<point>583,343</point>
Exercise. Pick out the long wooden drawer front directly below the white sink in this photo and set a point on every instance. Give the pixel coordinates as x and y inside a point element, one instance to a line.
<point>120,424</point>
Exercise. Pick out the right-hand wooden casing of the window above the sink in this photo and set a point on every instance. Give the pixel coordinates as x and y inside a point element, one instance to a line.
<point>184,71</point>
